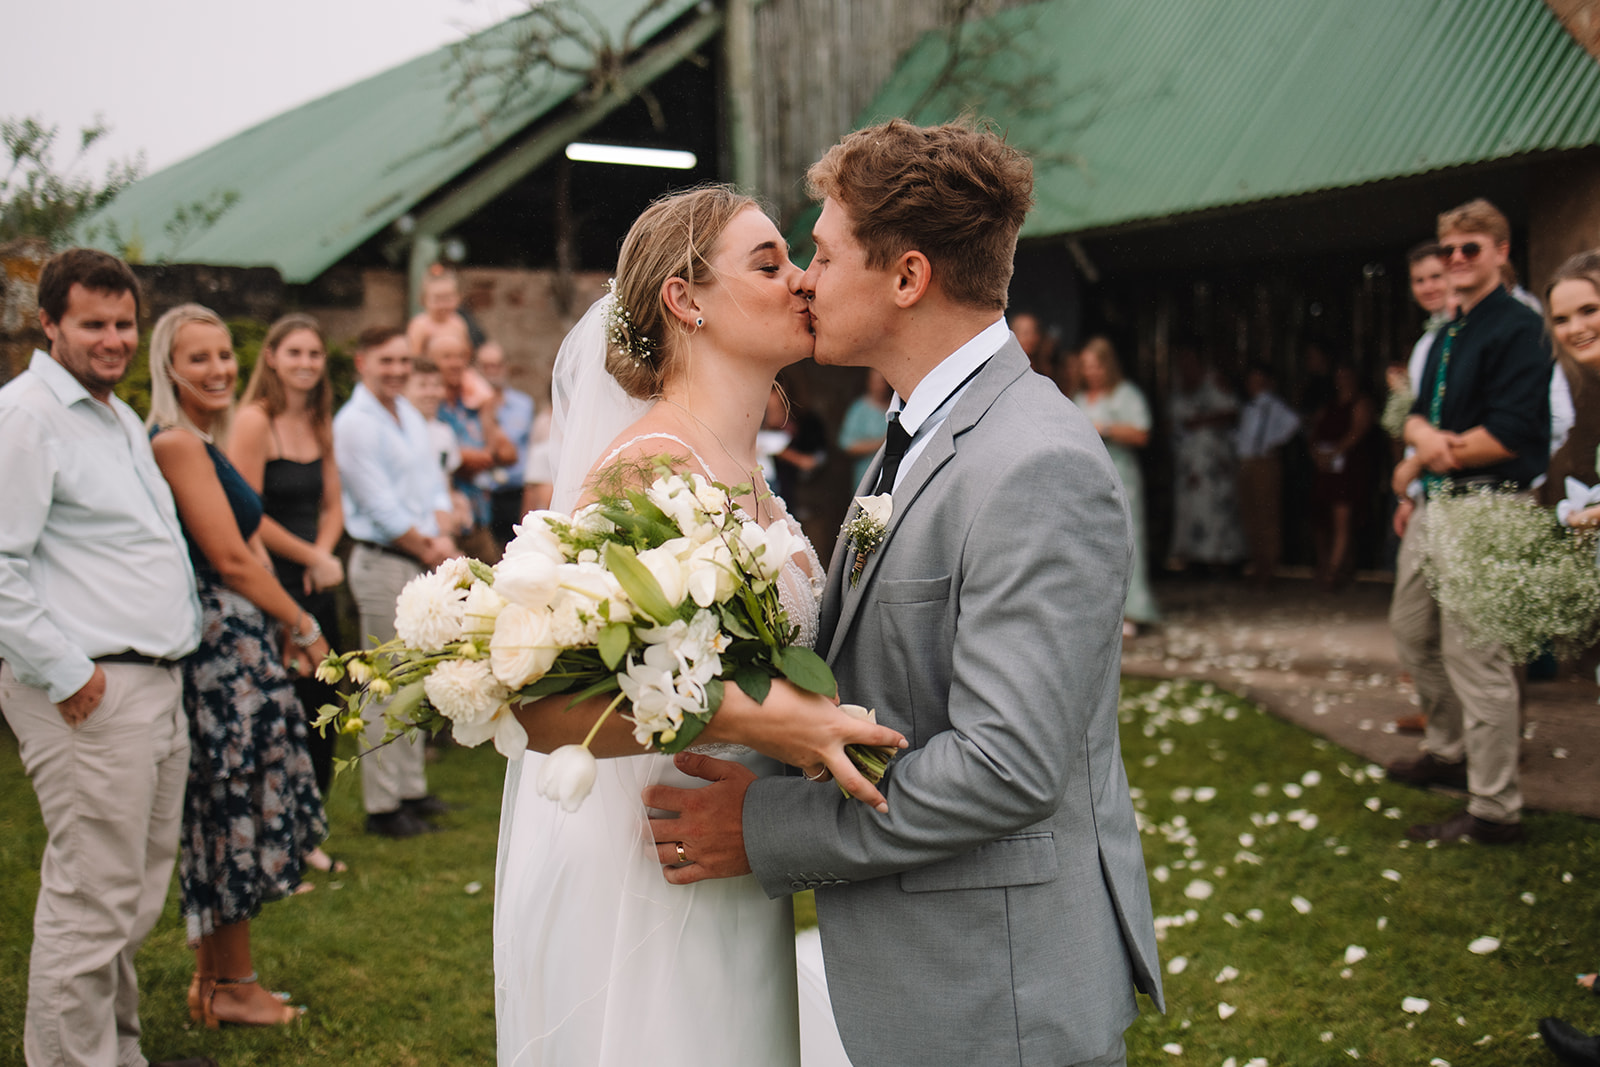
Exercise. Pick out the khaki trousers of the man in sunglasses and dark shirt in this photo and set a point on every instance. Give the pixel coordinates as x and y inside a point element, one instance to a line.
<point>1470,695</point>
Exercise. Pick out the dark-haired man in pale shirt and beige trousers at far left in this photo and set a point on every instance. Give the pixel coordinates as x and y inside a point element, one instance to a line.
<point>97,605</point>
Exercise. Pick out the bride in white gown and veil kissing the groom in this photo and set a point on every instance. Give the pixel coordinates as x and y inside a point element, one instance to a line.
<point>598,961</point>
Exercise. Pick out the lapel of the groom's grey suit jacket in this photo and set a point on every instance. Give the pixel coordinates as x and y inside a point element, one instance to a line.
<point>985,390</point>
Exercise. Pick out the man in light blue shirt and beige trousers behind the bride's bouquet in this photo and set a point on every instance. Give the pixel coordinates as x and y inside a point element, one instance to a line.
<point>396,505</point>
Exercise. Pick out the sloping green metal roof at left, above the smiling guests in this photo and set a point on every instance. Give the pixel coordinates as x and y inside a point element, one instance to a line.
<point>318,182</point>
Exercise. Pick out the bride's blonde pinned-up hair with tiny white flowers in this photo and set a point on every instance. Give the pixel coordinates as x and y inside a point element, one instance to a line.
<point>673,239</point>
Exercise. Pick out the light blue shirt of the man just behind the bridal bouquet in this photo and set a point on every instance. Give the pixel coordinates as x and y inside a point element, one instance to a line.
<point>388,468</point>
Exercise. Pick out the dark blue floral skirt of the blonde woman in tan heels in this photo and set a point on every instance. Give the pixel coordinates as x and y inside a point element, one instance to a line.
<point>252,810</point>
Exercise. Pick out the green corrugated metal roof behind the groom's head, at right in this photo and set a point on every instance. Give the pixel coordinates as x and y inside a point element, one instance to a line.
<point>1142,110</point>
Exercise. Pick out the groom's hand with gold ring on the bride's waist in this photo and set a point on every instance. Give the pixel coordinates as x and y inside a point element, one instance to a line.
<point>706,839</point>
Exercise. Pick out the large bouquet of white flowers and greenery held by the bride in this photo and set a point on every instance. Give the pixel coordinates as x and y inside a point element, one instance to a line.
<point>660,597</point>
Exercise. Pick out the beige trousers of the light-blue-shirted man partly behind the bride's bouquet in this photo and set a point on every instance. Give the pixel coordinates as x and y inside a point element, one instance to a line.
<point>398,772</point>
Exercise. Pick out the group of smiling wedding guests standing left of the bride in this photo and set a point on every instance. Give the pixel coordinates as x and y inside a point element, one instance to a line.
<point>167,593</point>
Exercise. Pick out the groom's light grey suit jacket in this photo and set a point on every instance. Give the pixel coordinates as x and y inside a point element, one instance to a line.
<point>999,913</point>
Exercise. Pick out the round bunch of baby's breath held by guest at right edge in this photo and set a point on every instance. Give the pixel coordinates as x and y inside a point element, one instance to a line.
<point>1511,573</point>
